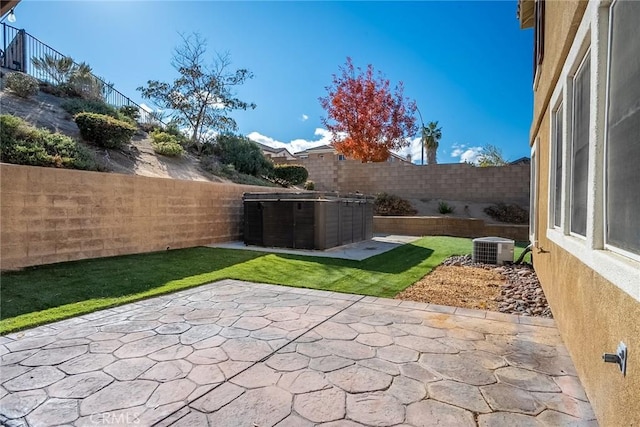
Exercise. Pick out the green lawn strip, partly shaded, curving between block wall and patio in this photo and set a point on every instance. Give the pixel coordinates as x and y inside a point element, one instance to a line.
<point>44,294</point>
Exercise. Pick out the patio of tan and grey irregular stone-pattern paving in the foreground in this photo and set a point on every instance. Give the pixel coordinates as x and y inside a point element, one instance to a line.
<point>233,353</point>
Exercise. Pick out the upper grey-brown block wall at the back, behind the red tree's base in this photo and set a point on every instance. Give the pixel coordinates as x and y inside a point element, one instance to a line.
<point>459,181</point>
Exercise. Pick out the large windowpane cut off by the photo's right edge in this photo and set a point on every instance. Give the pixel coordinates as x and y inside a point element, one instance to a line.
<point>622,169</point>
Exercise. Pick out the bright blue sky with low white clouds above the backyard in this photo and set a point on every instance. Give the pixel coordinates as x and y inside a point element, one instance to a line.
<point>467,64</point>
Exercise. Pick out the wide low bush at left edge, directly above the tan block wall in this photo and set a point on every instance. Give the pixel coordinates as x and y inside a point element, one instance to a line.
<point>25,145</point>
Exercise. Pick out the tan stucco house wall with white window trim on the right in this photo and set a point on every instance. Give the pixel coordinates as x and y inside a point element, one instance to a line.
<point>594,292</point>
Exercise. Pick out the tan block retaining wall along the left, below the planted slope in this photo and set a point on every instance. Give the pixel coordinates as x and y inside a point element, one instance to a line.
<point>51,215</point>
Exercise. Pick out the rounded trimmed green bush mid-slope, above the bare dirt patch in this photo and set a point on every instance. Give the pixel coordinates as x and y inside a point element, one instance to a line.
<point>103,130</point>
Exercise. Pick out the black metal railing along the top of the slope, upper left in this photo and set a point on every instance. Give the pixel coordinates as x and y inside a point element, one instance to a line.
<point>20,48</point>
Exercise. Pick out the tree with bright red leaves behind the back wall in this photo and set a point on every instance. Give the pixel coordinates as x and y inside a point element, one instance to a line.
<point>366,117</point>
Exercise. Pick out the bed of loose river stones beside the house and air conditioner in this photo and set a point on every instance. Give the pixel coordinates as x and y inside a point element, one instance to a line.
<point>522,294</point>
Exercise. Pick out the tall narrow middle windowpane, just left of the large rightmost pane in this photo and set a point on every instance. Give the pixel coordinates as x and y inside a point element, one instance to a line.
<point>580,147</point>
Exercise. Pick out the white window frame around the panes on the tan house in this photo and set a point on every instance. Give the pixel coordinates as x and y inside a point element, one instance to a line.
<point>619,268</point>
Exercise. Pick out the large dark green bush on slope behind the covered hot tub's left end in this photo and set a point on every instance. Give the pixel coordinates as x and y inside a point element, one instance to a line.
<point>244,154</point>
